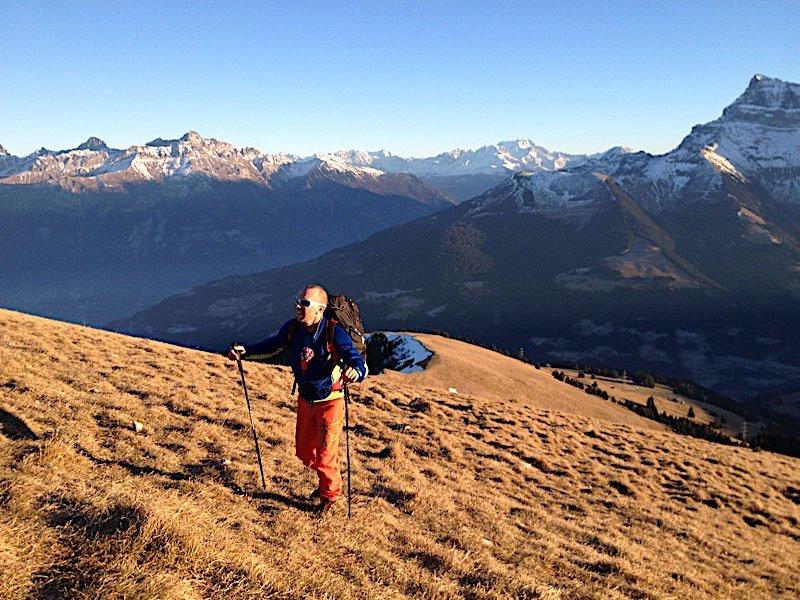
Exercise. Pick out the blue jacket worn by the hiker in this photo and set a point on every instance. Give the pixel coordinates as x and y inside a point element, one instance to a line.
<point>315,383</point>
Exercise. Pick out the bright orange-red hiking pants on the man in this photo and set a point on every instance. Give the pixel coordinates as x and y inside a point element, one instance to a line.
<point>319,427</point>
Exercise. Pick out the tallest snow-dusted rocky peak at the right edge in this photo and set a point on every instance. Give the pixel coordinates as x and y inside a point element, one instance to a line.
<point>757,138</point>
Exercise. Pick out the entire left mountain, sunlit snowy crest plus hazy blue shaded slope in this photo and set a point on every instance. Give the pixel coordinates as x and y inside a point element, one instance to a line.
<point>93,233</point>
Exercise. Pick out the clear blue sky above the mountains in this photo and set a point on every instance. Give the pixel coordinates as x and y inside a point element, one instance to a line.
<point>413,78</point>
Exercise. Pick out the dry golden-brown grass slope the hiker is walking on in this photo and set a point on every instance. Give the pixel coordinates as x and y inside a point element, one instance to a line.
<point>456,495</point>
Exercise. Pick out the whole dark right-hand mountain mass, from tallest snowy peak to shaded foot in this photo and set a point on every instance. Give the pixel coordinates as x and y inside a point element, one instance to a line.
<point>687,263</point>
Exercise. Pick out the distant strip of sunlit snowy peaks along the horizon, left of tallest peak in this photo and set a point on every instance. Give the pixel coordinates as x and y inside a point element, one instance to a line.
<point>460,174</point>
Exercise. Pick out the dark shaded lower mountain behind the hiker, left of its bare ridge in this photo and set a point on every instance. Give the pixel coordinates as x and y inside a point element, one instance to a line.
<point>511,268</point>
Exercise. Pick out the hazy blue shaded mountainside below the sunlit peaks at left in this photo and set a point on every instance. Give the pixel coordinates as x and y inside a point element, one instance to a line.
<point>99,254</point>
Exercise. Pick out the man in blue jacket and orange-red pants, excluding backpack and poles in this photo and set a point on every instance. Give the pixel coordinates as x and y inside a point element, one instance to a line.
<point>323,358</point>
